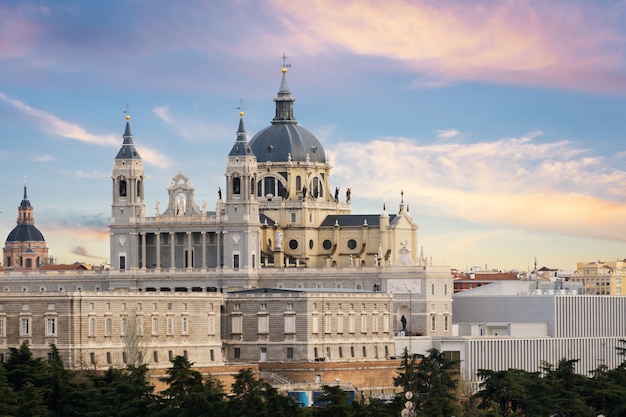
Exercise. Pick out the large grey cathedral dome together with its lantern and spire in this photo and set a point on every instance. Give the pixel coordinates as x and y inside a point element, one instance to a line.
<point>284,140</point>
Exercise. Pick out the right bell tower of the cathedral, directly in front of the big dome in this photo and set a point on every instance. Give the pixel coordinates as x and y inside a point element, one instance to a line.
<point>242,225</point>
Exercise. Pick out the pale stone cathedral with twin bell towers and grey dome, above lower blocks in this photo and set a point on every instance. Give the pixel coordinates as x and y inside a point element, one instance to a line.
<point>277,211</point>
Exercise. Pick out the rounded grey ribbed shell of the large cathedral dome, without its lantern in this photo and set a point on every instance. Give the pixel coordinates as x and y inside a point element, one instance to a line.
<point>276,142</point>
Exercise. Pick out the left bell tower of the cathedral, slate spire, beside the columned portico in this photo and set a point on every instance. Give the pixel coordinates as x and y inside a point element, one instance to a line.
<point>128,203</point>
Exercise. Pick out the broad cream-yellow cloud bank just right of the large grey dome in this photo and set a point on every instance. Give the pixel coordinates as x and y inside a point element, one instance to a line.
<point>513,182</point>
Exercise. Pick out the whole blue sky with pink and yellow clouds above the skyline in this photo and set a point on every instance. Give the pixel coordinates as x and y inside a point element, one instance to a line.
<point>503,122</point>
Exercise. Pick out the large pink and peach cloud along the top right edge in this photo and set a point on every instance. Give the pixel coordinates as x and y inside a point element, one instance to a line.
<point>578,45</point>
